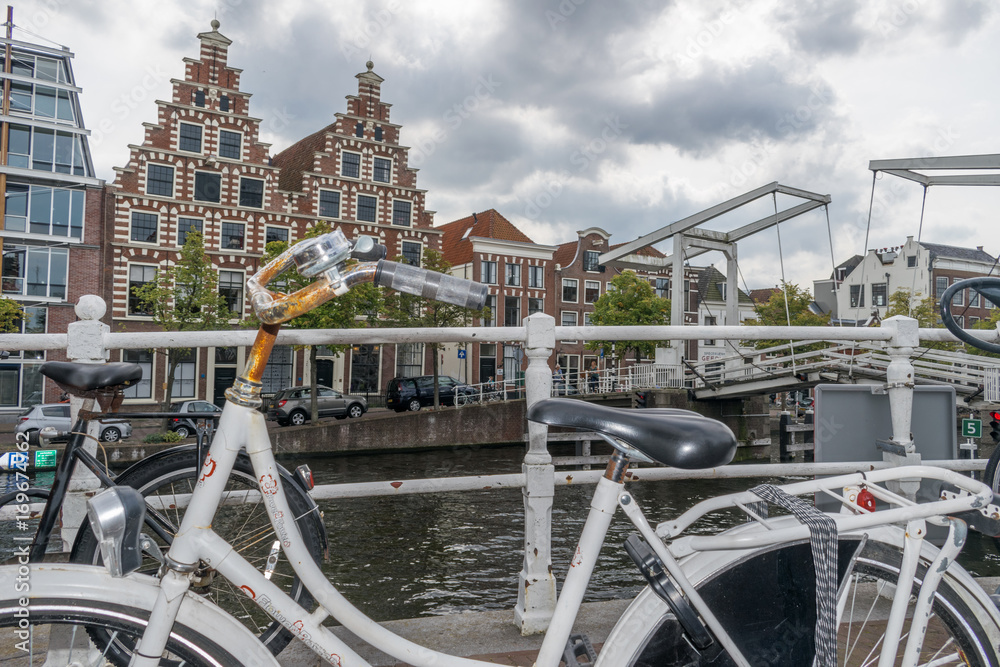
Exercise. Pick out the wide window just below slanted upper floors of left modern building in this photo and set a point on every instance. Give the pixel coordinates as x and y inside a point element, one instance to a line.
<point>43,210</point>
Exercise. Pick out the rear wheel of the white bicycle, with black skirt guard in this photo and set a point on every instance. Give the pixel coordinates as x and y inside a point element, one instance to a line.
<point>767,601</point>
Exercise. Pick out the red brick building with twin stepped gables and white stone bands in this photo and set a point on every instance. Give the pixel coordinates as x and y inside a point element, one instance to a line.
<point>202,167</point>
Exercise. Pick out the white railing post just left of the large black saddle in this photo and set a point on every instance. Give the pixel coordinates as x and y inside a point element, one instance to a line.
<point>536,588</point>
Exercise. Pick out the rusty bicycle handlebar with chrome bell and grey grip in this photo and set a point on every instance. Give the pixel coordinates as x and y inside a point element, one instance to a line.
<point>325,258</point>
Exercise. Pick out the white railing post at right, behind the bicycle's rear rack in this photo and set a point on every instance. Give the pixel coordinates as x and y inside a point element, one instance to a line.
<point>899,386</point>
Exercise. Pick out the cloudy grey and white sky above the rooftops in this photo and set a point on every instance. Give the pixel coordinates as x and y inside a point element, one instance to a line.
<point>569,114</point>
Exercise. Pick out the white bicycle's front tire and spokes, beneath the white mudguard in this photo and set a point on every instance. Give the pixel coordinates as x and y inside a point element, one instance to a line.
<point>92,633</point>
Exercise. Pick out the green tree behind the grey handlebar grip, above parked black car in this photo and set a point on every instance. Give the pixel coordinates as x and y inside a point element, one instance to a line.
<point>408,310</point>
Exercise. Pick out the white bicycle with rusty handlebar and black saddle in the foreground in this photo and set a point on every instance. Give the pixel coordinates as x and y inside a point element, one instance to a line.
<point>857,587</point>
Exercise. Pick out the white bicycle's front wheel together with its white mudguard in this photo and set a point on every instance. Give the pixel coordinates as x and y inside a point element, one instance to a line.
<point>101,614</point>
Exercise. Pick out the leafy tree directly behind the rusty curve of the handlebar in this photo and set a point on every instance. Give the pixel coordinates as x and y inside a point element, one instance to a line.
<point>357,308</point>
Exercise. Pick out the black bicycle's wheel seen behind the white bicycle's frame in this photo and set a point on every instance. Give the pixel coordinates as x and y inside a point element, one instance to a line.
<point>242,520</point>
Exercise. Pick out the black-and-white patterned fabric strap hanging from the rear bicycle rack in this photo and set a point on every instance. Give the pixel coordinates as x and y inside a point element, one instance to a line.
<point>823,541</point>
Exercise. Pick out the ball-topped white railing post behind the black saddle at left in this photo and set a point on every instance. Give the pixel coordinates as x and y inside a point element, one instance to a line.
<point>84,344</point>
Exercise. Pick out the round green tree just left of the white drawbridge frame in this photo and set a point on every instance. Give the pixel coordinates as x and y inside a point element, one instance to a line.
<point>629,301</point>
